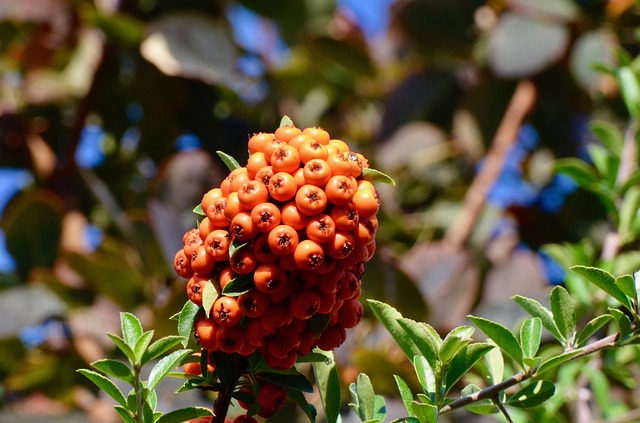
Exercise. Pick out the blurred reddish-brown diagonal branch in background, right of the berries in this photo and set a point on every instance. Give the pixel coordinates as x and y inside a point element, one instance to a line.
<point>521,103</point>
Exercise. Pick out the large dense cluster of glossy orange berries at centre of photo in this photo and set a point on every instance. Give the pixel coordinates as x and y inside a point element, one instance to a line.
<point>305,218</point>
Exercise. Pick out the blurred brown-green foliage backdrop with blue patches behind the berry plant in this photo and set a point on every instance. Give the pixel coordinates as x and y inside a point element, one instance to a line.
<point>111,112</point>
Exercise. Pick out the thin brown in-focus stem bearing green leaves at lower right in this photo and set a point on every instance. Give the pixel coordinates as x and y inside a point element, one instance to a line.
<point>493,390</point>
